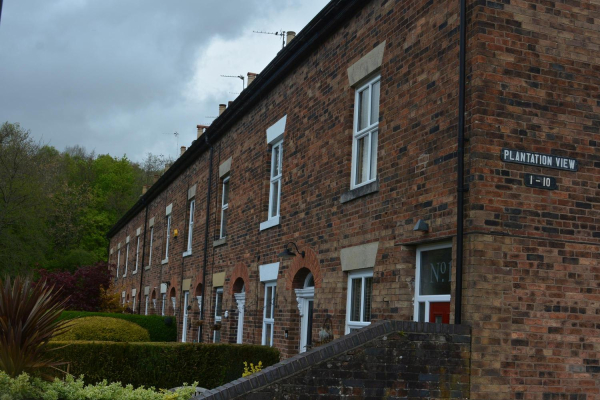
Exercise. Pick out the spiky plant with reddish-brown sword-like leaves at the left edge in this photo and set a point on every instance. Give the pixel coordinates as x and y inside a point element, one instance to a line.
<point>29,318</point>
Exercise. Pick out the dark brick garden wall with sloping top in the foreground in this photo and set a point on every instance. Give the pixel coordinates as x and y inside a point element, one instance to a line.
<point>387,359</point>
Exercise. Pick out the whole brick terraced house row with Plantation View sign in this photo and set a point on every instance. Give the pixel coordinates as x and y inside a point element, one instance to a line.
<point>346,185</point>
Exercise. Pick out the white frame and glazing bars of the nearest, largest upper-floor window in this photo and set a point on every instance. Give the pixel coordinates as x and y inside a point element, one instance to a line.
<point>372,127</point>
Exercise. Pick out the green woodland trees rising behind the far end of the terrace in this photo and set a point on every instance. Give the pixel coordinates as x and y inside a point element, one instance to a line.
<point>56,207</point>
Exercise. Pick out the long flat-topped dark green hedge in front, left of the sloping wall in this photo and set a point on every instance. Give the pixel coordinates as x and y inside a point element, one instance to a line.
<point>162,365</point>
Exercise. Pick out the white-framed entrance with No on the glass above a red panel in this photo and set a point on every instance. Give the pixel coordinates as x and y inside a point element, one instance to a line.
<point>433,283</point>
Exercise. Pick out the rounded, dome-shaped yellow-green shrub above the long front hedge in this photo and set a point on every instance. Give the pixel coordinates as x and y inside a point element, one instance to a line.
<point>104,329</point>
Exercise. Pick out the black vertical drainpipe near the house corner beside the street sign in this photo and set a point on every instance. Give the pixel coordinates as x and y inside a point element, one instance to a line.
<point>460,184</point>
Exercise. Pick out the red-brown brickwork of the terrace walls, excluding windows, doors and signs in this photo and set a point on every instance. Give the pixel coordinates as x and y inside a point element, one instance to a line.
<point>531,275</point>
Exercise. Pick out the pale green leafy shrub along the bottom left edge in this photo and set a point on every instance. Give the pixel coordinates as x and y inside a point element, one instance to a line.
<point>25,387</point>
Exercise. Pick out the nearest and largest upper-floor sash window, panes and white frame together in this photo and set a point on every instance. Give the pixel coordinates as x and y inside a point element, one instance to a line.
<point>365,138</point>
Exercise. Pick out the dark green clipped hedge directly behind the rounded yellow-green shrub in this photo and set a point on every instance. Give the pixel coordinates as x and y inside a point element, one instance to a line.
<point>161,329</point>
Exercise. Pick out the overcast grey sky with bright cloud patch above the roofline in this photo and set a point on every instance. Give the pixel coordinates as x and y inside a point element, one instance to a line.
<point>121,76</point>
